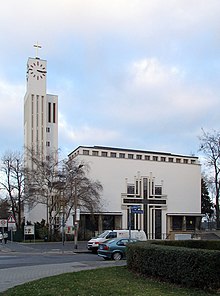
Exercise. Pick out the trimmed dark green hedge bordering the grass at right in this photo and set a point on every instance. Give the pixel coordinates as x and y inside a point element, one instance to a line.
<point>186,266</point>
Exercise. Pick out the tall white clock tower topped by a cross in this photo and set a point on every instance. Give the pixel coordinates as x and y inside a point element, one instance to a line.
<point>40,118</point>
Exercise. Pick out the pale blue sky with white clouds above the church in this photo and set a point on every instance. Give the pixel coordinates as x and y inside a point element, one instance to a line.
<point>141,74</point>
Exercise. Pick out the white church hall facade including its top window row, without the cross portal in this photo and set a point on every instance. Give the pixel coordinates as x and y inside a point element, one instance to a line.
<point>180,181</point>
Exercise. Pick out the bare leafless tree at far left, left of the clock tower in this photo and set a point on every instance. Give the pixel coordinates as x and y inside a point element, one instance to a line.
<point>12,183</point>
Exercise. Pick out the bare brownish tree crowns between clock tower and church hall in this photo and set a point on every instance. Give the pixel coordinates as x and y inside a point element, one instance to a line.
<point>63,187</point>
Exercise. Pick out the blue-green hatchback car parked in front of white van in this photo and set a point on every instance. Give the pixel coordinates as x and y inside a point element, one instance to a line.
<point>114,248</point>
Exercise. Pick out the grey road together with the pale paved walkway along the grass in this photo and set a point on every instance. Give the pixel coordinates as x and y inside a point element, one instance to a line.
<point>21,263</point>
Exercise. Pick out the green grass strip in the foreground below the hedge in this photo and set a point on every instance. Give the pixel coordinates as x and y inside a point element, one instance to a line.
<point>103,281</point>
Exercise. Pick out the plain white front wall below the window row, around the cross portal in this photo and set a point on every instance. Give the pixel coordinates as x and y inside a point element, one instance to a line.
<point>180,181</point>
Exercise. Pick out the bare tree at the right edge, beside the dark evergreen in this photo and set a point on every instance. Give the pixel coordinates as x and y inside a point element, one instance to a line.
<point>210,146</point>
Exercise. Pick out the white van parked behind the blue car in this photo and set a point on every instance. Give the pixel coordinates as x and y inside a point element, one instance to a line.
<point>93,243</point>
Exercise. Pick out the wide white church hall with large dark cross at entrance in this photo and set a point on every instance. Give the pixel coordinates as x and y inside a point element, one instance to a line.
<point>157,192</point>
